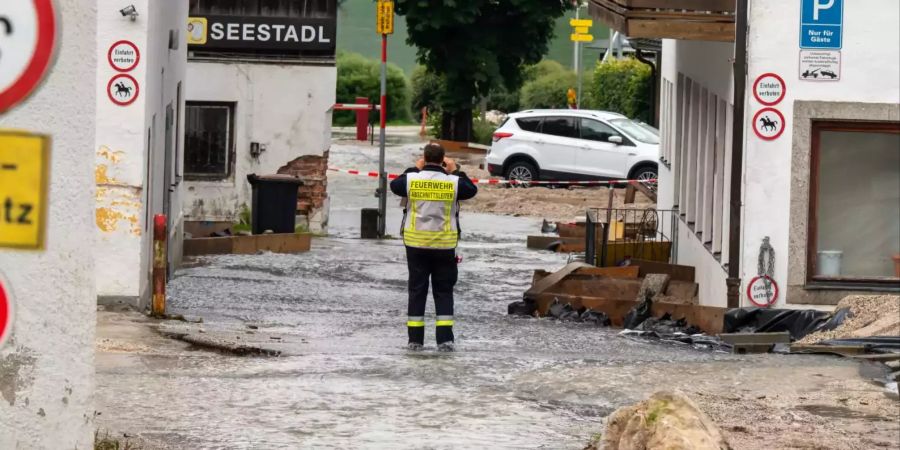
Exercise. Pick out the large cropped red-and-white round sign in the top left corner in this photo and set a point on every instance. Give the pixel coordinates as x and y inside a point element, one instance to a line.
<point>28,38</point>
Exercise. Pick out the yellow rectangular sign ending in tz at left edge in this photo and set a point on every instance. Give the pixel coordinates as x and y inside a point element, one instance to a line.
<point>24,175</point>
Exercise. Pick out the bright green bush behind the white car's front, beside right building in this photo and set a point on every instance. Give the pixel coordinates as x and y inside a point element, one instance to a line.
<point>622,86</point>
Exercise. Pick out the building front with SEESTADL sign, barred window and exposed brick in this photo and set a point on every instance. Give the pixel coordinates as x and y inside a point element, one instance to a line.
<point>261,82</point>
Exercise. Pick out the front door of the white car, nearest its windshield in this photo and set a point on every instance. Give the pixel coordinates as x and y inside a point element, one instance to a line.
<point>597,156</point>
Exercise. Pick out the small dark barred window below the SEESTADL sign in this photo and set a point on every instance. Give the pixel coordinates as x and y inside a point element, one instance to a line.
<point>209,130</point>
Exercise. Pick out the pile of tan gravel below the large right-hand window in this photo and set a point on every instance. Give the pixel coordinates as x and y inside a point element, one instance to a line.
<point>872,315</point>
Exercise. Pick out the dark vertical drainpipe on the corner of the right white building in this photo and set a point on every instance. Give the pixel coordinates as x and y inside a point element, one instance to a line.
<point>737,154</point>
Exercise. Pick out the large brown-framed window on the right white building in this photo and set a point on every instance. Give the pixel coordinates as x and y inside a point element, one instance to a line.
<point>854,202</point>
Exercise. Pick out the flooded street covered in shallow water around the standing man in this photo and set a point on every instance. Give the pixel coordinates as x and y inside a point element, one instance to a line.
<point>346,381</point>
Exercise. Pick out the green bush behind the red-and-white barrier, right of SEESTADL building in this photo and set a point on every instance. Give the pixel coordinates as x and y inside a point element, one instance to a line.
<point>358,76</point>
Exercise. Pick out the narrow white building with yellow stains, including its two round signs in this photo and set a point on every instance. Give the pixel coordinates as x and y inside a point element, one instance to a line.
<point>140,83</point>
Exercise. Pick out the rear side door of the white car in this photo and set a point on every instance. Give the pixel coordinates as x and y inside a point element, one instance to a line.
<point>557,152</point>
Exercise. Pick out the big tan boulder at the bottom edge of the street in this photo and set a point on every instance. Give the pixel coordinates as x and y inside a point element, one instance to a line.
<point>667,420</point>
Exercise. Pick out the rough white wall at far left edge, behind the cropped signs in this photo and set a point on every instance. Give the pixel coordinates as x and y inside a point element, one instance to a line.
<point>47,369</point>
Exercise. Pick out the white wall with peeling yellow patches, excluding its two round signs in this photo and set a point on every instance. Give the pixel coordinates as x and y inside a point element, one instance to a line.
<point>124,222</point>
